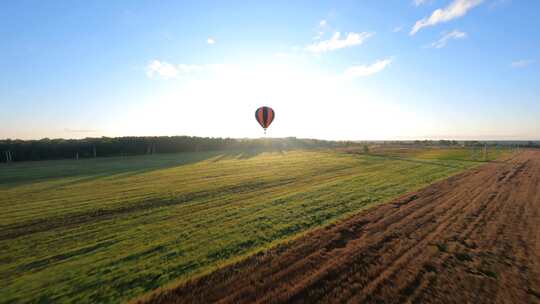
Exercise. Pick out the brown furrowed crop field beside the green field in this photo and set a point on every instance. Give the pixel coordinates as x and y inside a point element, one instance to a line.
<point>473,238</point>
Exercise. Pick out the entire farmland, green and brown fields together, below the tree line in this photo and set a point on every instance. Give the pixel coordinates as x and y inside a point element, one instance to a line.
<point>245,224</point>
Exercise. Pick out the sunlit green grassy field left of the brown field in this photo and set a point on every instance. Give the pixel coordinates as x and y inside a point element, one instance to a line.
<point>111,229</point>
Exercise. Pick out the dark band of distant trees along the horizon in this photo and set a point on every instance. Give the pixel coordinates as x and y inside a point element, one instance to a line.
<point>48,149</point>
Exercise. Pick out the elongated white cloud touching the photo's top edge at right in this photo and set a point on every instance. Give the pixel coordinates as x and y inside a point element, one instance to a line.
<point>456,9</point>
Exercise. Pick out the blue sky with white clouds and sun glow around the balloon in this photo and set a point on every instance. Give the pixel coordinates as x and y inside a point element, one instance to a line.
<point>411,69</point>
